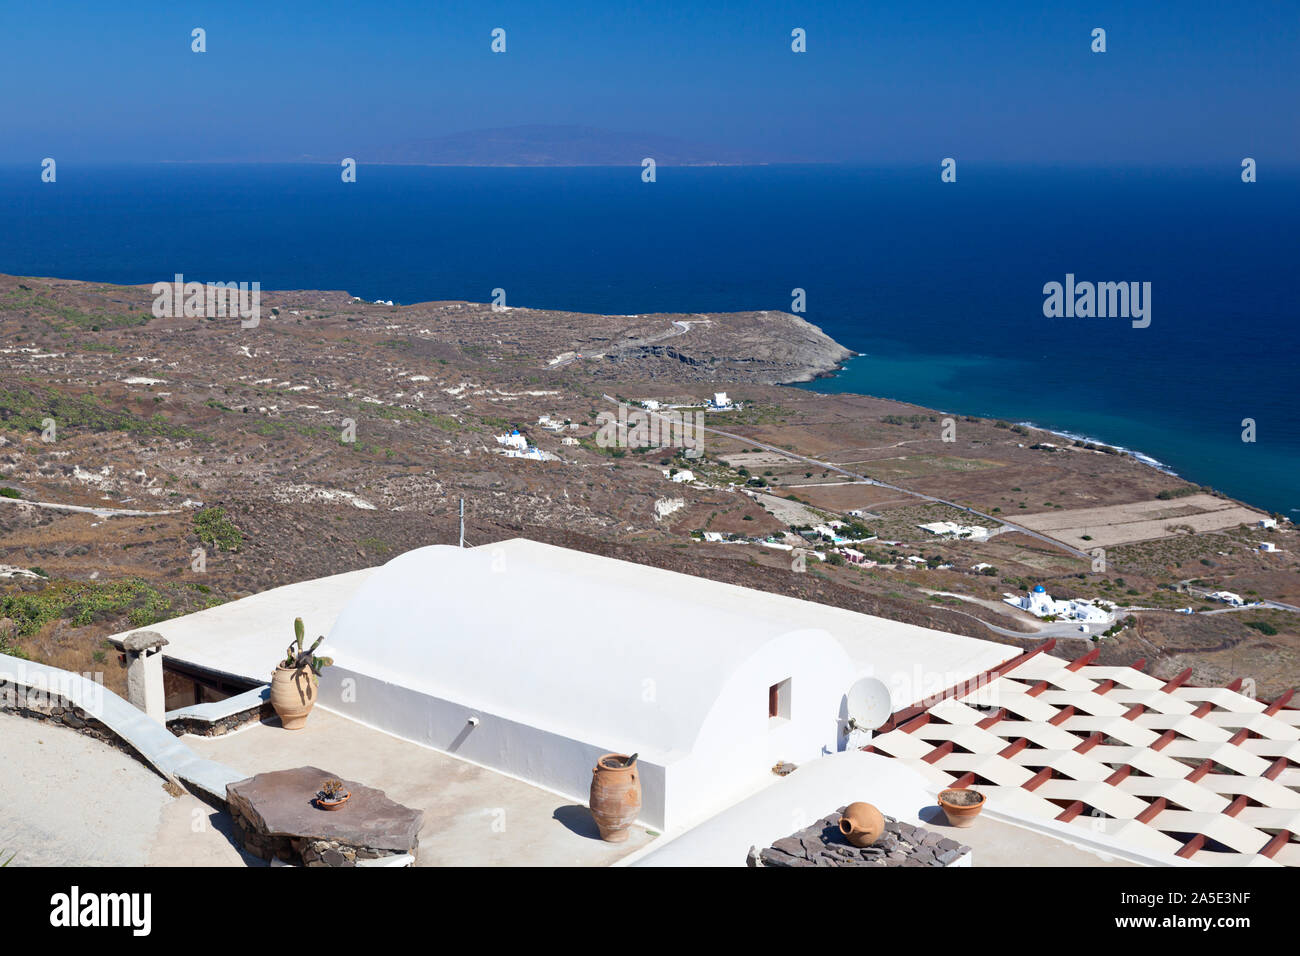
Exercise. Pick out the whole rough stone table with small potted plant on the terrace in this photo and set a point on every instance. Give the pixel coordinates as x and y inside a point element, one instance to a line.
<point>279,819</point>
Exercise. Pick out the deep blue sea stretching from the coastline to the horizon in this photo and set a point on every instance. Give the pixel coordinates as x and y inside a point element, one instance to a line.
<point>938,285</point>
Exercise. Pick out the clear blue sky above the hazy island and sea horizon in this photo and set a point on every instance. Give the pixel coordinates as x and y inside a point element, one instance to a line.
<point>1182,84</point>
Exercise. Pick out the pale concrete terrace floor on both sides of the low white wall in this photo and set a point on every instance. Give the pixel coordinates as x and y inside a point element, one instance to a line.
<point>71,801</point>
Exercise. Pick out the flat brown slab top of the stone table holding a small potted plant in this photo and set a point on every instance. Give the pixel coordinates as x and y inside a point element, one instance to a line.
<point>281,804</point>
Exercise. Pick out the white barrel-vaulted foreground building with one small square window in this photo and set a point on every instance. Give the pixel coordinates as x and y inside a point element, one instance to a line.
<point>467,651</point>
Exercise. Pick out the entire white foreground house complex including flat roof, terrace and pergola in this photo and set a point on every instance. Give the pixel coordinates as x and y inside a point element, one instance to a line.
<point>473,654</point>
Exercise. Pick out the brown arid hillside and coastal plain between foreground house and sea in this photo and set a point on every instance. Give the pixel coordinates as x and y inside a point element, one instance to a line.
<point>150,468</point>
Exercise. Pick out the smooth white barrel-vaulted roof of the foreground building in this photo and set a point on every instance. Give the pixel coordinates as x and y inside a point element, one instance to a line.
<point>587,646</point>
